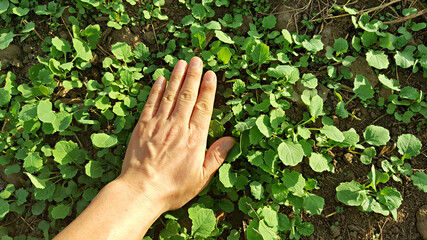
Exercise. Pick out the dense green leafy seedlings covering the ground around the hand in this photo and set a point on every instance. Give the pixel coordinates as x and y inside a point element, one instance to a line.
<point>298,109</point>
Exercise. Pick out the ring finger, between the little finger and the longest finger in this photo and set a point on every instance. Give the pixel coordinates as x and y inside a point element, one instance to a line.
<point>171,92</point>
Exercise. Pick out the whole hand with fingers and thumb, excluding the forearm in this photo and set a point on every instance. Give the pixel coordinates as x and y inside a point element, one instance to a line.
<point>166,159</point>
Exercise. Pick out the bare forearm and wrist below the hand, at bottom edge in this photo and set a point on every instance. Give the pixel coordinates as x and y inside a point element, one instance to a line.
<point>115,213</point>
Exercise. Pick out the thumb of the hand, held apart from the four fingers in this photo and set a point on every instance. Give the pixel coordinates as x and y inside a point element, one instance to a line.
<point>217,153</point>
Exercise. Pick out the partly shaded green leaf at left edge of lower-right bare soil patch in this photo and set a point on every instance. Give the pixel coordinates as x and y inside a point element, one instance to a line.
<point>351,193</point>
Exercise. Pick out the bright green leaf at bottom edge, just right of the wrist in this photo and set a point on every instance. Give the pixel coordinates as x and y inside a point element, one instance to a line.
<point>203,219</point>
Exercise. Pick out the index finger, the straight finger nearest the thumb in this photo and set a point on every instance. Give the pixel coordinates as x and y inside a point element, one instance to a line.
<point>202,111</point>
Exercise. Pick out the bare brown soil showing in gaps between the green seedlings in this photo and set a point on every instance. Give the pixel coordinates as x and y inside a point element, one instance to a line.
<point>348,224</point>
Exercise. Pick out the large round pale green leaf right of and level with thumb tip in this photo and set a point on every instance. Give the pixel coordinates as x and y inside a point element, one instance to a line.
<point>290,153</point>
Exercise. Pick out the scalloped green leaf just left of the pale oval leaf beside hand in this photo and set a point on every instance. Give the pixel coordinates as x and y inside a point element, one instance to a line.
<point>66,152</point>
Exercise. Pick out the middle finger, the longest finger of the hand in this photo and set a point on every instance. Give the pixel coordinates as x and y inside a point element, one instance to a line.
<point>188,94</point>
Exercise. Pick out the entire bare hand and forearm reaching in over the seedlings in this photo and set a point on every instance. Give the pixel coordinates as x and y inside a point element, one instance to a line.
<point>165,165</point>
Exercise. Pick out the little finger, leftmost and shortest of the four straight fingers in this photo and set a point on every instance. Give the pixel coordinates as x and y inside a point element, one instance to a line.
<point>154,98</point>
